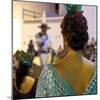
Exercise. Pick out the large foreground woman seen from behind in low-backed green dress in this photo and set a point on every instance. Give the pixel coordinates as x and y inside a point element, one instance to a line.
<point>73,74</point>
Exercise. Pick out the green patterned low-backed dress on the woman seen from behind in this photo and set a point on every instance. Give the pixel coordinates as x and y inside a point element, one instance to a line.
<point>52,84</point>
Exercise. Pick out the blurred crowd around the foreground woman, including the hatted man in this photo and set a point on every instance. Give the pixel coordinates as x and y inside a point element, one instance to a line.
<point>24,79</point>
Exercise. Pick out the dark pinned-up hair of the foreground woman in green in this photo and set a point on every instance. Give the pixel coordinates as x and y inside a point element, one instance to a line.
<point>74,29</point>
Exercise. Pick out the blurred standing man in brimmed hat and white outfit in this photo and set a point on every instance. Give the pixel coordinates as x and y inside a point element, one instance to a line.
<point>44,44</point>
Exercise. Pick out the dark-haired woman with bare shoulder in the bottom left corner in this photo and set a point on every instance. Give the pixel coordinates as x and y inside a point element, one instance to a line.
<point>24,84</point>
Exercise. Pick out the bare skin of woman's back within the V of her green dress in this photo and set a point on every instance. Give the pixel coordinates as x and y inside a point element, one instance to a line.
<point>78,78</point>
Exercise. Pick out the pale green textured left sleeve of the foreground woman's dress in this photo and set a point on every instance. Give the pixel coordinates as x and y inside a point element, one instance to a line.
<point>46,84</point>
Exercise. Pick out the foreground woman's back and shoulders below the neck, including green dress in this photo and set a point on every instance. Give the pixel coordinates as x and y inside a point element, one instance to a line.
<point>74,76</point>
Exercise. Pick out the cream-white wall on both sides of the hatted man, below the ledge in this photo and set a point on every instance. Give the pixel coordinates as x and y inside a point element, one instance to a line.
<point>31,29</point>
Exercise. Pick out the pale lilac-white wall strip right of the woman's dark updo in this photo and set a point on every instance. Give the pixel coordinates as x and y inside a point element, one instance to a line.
<point>90,13</point>
